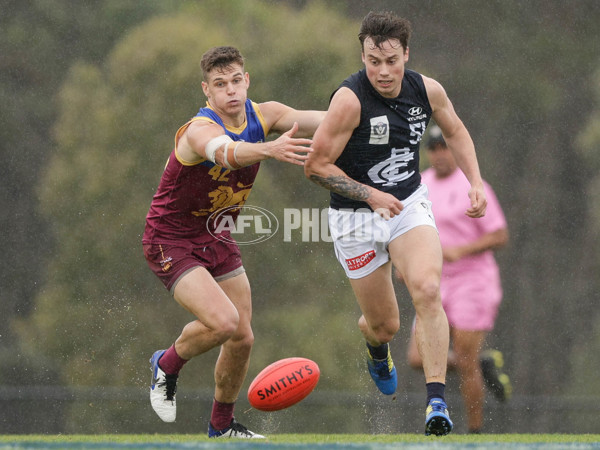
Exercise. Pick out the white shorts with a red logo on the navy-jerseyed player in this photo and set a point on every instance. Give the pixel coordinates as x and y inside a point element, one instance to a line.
<point>361,238</point>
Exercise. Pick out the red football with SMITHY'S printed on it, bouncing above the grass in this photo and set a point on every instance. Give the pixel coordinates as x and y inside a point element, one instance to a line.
<point>283,384</point>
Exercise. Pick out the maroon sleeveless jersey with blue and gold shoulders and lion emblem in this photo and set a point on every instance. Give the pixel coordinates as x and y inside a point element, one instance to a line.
<point>189,193</point>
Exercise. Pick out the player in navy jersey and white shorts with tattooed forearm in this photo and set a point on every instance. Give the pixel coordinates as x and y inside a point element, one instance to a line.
<point>366,152</point>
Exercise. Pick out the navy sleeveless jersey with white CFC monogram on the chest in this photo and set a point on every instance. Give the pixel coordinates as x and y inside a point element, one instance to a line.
<point>383,150</point>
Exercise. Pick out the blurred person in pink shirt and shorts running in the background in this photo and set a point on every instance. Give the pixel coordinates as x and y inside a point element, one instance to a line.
<point>470,285</point>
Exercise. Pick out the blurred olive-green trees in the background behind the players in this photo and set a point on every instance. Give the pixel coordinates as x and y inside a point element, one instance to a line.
<point>93,92</point>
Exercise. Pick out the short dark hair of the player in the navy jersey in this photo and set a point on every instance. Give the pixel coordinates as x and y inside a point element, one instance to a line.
<point>384,26</point>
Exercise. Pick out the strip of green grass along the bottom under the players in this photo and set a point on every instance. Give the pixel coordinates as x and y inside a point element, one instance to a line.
<point>305,441</point>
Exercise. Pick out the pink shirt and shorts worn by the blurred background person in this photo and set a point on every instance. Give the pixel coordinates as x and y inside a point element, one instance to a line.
<point>470,287</point>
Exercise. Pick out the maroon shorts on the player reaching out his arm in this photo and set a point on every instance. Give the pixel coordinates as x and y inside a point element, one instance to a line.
<point>171,261</point>
